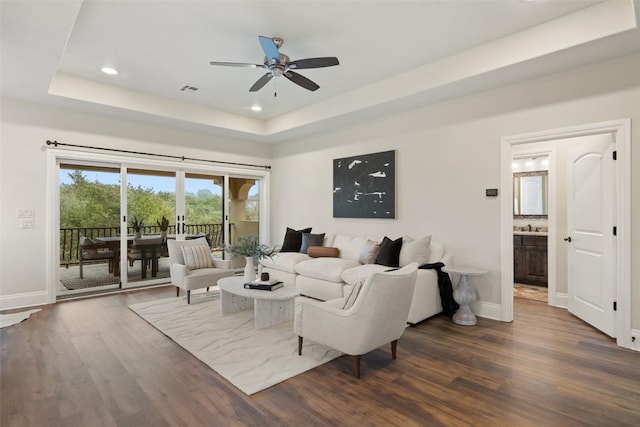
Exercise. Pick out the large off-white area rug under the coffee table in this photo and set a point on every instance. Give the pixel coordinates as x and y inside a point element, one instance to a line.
<point>250,359</point>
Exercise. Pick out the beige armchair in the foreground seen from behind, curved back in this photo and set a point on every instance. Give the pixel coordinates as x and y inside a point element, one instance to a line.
<point>378,315</point>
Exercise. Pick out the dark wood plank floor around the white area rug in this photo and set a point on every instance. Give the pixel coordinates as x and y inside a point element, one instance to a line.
<point>94,362</point>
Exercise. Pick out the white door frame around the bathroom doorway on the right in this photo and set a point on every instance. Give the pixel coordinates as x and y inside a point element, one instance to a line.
<point>621,131</point>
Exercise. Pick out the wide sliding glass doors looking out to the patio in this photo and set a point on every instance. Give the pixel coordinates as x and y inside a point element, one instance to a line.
<point>114,219</point>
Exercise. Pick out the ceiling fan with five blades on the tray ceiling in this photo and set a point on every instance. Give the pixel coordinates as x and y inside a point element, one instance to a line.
<point>278,64</point>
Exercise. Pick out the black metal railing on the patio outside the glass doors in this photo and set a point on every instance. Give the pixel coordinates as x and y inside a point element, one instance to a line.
<point>70,237</point>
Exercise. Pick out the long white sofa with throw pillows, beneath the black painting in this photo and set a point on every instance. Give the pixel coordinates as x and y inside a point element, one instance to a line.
<point>328,278</point>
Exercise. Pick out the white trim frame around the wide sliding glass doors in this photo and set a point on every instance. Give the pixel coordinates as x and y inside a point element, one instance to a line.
<point>57,155</point>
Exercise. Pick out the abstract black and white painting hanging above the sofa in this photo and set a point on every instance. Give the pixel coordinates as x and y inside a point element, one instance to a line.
<point>365,186</point>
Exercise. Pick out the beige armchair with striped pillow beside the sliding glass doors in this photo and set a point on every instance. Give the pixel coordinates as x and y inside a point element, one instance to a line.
<point>198,270</point>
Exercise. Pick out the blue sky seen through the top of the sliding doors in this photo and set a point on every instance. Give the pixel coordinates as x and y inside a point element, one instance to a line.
<point>157,183</point>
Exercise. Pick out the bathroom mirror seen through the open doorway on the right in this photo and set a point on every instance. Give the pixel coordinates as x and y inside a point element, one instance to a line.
<point>530,193</point>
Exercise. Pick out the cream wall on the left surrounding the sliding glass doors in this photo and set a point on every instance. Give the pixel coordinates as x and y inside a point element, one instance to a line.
<point>25,128</point>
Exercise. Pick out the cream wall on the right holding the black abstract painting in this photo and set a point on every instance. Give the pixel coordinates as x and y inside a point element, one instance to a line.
<point>448,154</point>
